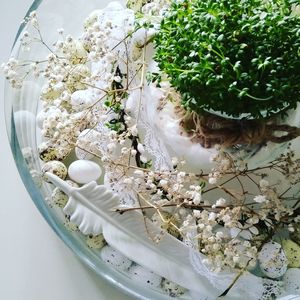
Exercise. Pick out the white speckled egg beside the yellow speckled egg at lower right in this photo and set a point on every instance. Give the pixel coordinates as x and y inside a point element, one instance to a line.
<point>272,260</point>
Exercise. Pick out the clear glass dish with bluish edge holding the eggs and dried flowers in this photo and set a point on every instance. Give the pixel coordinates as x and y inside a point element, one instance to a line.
<point>21,108</point>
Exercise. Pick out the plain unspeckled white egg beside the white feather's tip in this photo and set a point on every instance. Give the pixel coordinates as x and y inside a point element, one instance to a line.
<point>84,171</point>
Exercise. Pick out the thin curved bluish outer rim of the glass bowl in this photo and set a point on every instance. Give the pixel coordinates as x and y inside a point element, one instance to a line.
<point>113,277</point>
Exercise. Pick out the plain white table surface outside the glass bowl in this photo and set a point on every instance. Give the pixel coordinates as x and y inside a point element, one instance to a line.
<point>35,264</point>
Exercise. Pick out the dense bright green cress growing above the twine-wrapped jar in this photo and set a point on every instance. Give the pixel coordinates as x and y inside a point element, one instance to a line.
<point>232,56</point>
